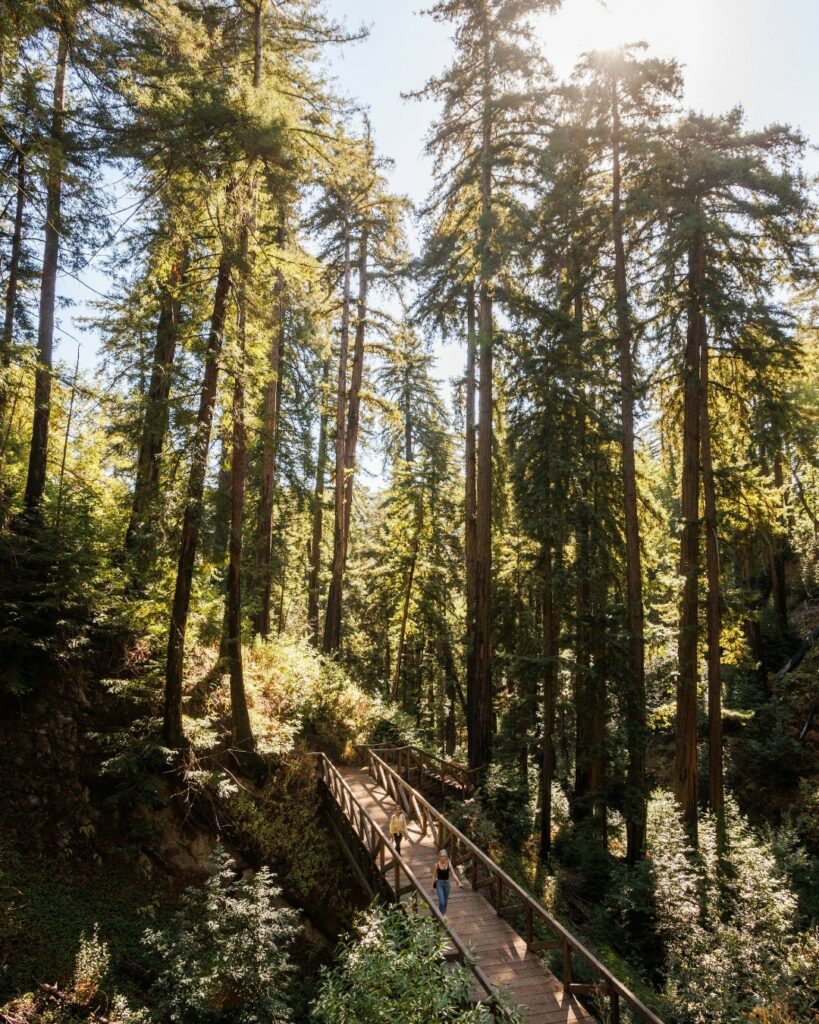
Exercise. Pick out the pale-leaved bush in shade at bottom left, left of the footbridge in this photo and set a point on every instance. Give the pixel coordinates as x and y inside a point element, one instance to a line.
<point>225,956</point>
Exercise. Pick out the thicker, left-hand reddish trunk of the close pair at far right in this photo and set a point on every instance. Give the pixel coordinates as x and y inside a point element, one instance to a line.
<point>685,769</point>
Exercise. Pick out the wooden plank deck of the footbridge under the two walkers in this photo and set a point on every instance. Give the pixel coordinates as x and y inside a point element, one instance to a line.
<point>498,950</point>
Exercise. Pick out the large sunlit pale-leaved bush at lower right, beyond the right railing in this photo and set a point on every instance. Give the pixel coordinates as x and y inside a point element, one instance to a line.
<point>714,926</point>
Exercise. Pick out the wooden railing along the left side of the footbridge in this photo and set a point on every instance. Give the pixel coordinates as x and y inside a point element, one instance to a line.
<point>400,880</point>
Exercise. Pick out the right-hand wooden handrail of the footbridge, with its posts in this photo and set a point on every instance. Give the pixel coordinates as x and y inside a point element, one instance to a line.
<point>384,775</point>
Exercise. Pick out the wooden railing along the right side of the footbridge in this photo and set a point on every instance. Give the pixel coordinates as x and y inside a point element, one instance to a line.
<point>508,899</point>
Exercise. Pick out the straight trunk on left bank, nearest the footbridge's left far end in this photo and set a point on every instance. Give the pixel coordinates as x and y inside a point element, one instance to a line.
<point>242,737</point>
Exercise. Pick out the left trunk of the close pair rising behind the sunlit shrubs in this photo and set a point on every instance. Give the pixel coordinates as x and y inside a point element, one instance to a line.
<point>333,615</point>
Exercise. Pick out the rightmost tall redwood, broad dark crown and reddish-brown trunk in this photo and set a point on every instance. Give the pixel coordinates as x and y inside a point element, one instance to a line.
<point>728,195</point>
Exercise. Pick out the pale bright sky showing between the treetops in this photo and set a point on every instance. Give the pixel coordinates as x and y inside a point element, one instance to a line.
<point>760,54</point>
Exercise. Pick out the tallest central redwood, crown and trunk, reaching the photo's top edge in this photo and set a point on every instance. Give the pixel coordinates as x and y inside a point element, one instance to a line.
<point>492,87</point>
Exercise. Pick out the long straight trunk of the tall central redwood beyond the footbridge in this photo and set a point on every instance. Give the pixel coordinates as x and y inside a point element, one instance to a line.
<point>483,722</point>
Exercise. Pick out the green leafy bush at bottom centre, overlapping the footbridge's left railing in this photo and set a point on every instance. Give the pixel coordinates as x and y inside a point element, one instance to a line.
<point>392,970</point>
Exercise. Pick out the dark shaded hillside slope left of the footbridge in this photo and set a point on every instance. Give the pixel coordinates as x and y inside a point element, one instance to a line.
<point>100,835</point>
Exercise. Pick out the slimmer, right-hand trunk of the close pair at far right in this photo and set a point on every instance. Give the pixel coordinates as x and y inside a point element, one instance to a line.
<point>716,795</point>
